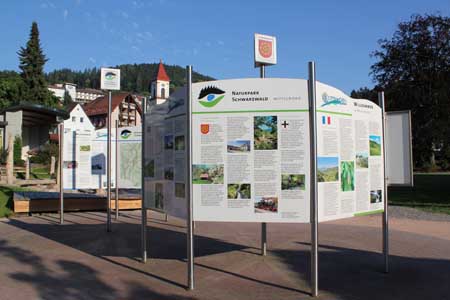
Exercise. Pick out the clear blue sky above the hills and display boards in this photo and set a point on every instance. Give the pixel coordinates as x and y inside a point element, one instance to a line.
<point>216,37</point>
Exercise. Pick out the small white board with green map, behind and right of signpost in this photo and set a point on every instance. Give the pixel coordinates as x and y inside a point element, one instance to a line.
<point>129,157</point>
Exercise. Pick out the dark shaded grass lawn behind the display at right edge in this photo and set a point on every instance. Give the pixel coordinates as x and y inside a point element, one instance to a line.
<point>431,192</point>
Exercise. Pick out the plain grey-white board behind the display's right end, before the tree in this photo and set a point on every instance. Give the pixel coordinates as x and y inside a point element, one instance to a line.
<point>399,148</point>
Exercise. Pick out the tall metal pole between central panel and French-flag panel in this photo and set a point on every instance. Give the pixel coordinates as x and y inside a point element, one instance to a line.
<point>313,178</point>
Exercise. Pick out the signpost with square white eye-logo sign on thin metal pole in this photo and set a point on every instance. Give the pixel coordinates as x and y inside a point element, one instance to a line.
<point>110,80</point>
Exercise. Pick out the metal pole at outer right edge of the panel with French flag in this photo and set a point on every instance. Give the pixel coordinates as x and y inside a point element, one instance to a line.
<point>385,181</point>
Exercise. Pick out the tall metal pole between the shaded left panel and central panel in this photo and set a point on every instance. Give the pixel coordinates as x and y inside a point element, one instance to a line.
<point>190,229</point>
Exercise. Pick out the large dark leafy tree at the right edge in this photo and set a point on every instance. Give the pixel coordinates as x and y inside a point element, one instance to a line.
<point>413,69</point>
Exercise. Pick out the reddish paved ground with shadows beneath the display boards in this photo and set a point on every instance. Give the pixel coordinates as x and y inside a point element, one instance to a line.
<point>40,259</point>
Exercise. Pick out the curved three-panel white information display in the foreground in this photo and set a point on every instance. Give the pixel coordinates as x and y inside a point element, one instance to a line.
<point>251,152</point>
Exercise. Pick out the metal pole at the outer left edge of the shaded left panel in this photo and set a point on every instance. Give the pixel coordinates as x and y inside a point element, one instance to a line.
<point>143,208</point>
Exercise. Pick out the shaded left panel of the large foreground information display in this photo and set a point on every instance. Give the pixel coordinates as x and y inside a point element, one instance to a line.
<point>165,156</point>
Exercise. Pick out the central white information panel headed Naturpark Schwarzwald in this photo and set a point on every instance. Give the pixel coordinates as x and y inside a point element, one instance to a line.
<point>250,150</point>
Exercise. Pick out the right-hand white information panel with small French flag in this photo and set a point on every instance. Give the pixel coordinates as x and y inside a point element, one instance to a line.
<point>349,155</point>
